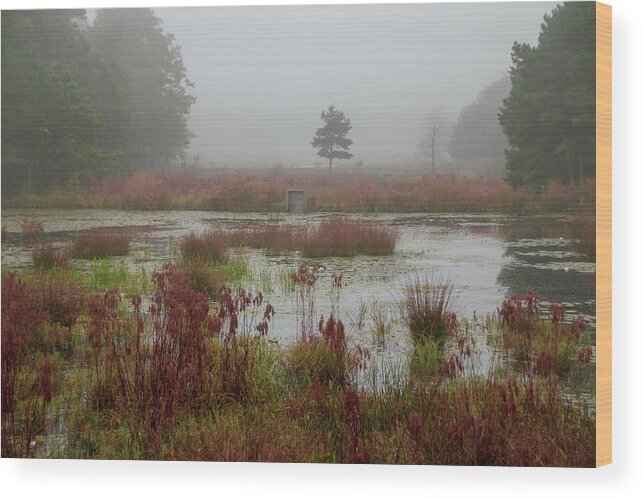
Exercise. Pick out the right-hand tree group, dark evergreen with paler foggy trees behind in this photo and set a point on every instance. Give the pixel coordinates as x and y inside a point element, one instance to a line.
<point>539,124</point>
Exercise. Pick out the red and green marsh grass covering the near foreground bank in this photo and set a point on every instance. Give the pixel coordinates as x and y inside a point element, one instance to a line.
<point>192,379</point>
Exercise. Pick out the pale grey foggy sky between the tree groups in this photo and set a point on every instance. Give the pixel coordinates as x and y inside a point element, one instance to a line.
<point>263,74</point>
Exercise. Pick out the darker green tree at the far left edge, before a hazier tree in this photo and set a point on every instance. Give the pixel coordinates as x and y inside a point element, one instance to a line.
<point>48,119</point>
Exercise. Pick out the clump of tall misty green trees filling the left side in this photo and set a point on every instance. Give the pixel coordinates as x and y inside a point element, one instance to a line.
<point>81,100</point>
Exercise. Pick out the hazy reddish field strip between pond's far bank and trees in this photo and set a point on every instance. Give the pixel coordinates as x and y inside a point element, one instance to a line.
<point>265,191</point>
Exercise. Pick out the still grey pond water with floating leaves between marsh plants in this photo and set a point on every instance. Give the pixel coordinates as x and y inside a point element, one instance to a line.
<point>486,257</point>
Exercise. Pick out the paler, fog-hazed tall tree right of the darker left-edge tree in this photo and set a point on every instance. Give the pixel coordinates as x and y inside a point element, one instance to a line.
<point>154,79</point>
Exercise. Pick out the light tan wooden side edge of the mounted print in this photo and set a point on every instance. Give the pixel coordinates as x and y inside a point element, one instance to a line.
<point>603,234</point>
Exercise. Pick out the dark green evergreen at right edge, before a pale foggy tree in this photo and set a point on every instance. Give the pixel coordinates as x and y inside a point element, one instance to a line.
<point>550,114</point>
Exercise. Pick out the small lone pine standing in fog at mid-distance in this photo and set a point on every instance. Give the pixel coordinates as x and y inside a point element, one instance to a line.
<point>330,140</point>
